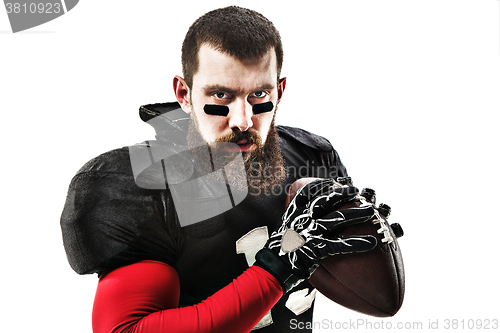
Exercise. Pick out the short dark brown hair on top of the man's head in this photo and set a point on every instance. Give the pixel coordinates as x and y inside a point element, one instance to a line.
<point>239,32</point>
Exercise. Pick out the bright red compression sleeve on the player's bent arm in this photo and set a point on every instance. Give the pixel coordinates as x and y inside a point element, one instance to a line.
<point>143,298</point>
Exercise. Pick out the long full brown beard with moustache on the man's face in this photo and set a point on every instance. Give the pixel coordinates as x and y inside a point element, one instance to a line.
<point>264,166</point>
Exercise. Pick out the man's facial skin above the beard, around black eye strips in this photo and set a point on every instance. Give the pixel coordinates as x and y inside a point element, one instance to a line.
<point>224,80</point>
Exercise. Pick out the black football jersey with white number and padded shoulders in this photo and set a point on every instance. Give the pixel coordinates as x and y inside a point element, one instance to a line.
<point>109,221</point>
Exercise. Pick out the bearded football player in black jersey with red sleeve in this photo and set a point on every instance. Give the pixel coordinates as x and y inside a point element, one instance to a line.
<point>176,252</point>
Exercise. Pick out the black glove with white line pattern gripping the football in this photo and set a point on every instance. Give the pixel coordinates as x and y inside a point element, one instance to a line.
<point>308,233</point>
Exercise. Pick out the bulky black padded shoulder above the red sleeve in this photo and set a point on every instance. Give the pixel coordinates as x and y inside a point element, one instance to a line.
<point>108,221</point>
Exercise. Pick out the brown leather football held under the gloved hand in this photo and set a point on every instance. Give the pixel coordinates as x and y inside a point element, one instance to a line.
<point>371,282</point>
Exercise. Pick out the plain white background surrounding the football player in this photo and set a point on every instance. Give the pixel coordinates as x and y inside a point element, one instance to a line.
<point>406,91</point>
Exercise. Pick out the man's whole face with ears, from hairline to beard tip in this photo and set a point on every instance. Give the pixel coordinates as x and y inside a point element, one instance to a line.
<point>224,80</point>
